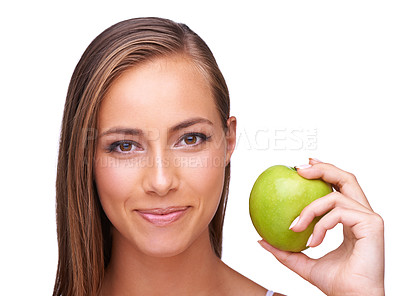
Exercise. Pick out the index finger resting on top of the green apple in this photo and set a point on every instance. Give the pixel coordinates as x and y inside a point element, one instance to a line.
<point>344,181</point>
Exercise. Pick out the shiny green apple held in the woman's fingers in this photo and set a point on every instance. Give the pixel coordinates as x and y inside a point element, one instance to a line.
<point>277,198</point>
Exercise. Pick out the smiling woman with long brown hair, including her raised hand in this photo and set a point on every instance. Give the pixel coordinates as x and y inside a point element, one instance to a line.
<point>143,176</point>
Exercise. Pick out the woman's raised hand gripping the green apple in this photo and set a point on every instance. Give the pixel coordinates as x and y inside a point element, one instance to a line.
<point>356,267</point>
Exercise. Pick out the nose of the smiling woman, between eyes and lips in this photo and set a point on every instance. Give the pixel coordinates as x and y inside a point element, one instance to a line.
<point>160,176</point>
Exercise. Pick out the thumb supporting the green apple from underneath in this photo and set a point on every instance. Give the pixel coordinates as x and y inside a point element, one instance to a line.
<point>297,262</point>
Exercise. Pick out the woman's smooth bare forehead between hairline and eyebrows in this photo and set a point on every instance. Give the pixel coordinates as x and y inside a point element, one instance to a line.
<point>160,92</point>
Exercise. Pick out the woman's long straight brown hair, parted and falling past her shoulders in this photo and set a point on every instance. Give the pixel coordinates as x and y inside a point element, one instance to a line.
<point>83,229</point>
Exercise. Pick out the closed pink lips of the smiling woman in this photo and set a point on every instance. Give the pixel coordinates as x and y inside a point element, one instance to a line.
<point>162,216</point>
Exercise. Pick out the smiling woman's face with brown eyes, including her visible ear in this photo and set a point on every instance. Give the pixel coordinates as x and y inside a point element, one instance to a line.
<point>161,156</point>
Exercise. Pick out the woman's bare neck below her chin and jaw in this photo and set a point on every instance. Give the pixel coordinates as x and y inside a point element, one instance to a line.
<point>196,271</point>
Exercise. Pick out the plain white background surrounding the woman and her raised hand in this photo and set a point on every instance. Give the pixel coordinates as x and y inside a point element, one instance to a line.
<point>317,78</point>
